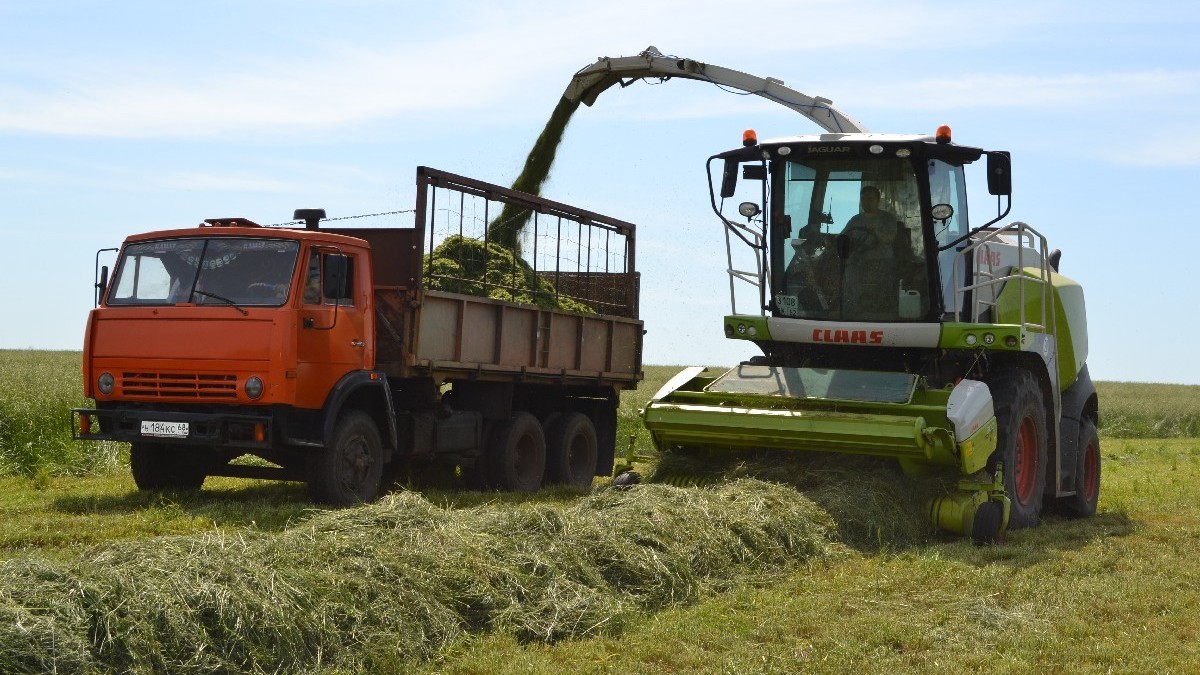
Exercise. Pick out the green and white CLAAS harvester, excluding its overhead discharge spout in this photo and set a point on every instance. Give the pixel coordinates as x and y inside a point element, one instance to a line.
<point>889,325</point>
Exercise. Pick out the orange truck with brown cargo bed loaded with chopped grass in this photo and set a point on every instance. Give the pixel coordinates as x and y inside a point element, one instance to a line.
<point>335,355</point>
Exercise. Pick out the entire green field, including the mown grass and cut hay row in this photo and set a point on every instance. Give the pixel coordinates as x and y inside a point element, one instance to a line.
<point>760,565</point>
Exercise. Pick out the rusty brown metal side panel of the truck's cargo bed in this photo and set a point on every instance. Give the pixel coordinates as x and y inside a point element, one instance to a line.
<point>490,339</point>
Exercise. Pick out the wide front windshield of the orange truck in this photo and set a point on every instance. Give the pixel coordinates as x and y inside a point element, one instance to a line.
<point>206,272</point>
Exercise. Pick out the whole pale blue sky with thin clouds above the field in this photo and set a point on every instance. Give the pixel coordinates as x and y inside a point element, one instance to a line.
<point>125,117</point>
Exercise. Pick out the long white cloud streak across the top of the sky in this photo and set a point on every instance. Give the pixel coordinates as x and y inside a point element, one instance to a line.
<point>493,56</point>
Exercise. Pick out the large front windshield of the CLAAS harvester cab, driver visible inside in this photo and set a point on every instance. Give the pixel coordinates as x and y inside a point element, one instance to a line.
<point>850,247</point>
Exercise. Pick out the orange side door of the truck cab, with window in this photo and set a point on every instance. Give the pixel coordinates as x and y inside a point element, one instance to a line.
<point>333,338</point>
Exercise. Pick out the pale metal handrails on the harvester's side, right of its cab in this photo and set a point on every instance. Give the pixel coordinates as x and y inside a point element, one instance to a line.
<point>1028,240</point>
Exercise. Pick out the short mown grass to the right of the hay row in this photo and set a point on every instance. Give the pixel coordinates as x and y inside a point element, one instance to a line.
<point>1119,593</point>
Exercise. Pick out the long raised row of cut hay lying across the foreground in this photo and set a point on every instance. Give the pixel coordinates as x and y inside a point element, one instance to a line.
<point>375,588</point>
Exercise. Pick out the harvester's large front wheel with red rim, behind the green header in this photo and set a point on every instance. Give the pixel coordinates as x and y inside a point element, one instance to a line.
<point>1022,444</point>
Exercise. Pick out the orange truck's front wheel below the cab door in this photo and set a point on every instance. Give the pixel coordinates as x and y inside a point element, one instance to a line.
<point>351,469</point>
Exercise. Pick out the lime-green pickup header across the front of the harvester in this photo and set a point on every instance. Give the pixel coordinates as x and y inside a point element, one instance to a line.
<point>813,410</point>
